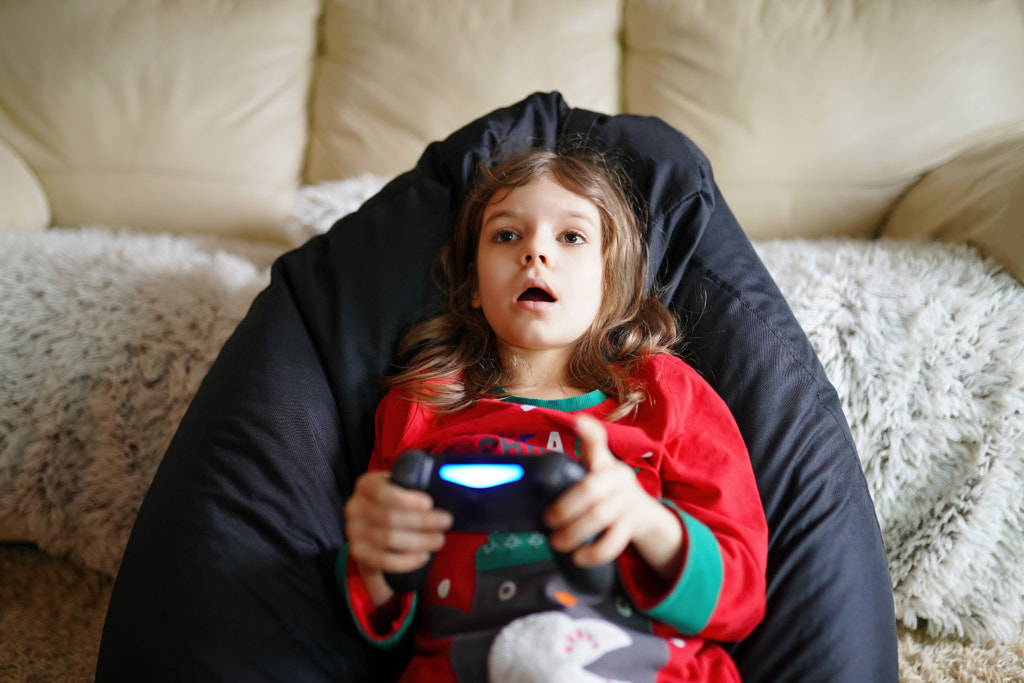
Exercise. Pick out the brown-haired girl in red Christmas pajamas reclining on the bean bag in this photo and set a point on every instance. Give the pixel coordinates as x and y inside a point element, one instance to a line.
<point>551,343</point>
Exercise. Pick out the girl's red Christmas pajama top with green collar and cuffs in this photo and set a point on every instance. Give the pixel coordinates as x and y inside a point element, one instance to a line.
<point>495,603</point>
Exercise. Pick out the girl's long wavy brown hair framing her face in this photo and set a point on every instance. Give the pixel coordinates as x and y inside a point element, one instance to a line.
<point>452,361</point>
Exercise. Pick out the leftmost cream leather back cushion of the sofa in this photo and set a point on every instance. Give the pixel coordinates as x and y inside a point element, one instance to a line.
<point>187,117</point>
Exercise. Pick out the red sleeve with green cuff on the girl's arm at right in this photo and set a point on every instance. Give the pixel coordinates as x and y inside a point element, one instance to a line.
<point>707,479</point>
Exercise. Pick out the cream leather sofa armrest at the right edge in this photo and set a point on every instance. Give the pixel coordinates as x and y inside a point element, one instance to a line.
<point>977,197</point>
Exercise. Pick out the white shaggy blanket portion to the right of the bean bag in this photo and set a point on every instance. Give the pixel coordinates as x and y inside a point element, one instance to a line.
<point>925,345</point>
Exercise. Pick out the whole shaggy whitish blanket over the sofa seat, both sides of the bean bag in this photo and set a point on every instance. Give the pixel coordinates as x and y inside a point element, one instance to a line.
<point>105,337</point>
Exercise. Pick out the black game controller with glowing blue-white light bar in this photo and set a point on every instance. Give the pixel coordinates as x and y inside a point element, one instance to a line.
<point>497,494</point>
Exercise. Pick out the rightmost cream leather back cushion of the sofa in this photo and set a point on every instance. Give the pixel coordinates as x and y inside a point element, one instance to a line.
<point>818,114</point>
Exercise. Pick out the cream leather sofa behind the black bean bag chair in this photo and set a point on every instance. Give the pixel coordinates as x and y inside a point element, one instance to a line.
<point>856,118</point>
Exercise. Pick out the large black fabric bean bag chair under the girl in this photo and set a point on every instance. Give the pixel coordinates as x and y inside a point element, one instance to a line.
<point>228,575</point>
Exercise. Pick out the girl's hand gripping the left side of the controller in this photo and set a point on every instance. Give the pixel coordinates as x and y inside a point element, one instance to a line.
<point>391,529</point>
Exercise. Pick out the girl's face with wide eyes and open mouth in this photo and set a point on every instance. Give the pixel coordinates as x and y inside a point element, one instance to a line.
<point>540,266</point>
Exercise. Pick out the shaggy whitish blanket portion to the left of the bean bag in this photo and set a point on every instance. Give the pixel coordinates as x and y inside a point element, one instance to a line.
<point>104,339</point>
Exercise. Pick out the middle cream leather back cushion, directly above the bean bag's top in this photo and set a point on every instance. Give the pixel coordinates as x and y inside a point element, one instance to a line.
<point>395,75</point>
